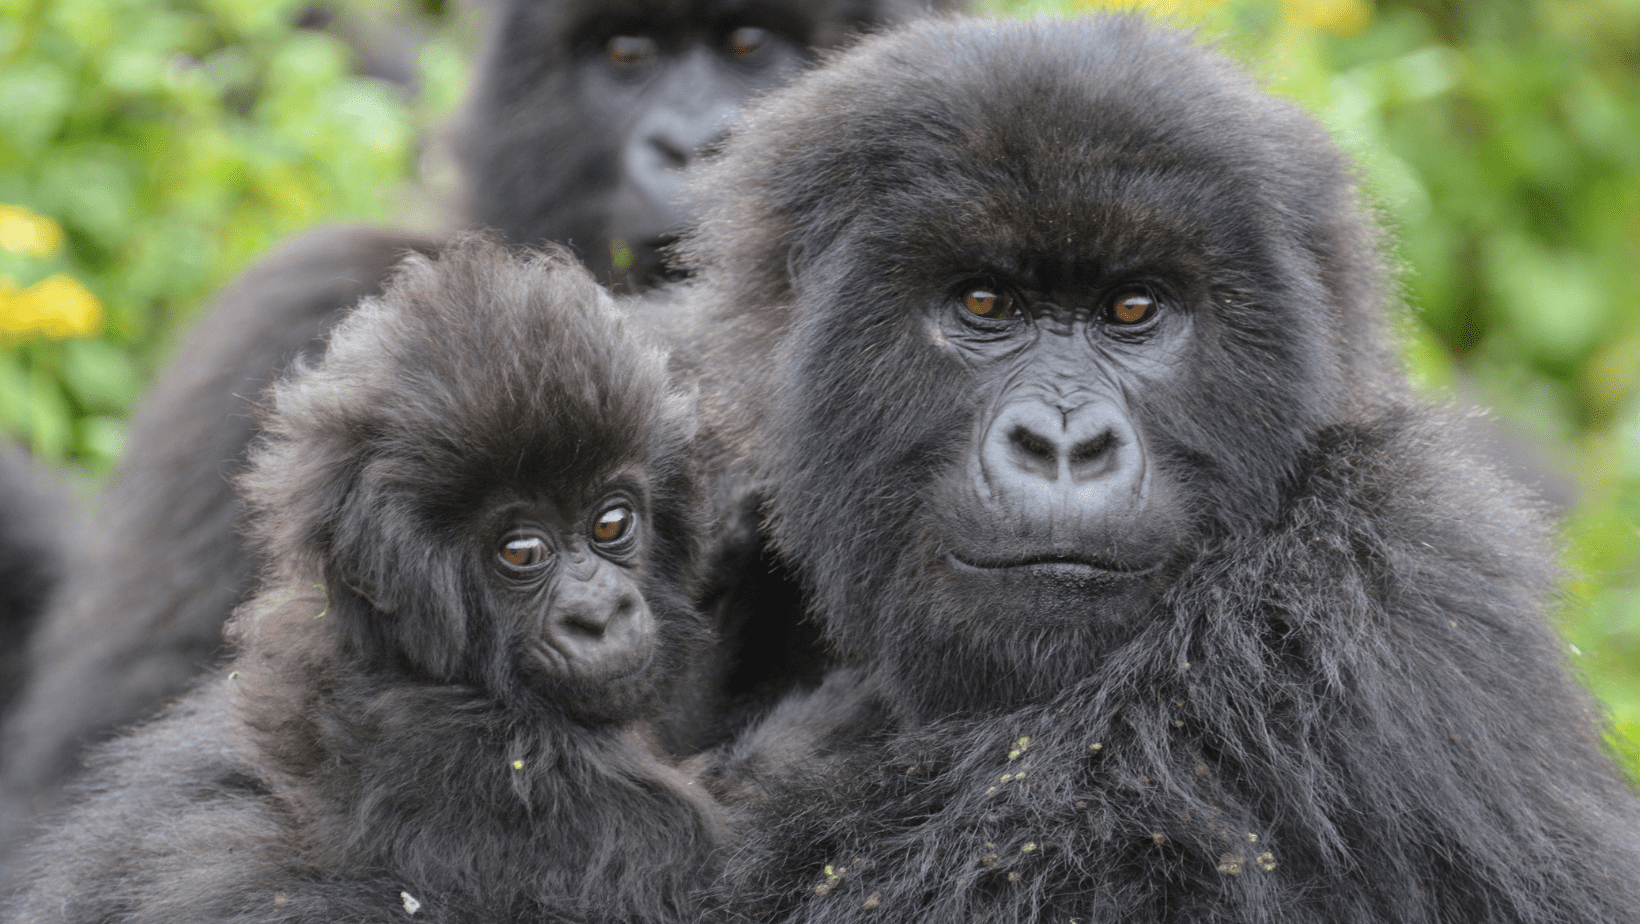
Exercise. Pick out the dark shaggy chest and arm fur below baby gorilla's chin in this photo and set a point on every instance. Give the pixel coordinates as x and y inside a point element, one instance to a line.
<point>475,808</point>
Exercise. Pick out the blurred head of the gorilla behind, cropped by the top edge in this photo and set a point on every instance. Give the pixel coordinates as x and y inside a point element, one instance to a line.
<point>590,114</point>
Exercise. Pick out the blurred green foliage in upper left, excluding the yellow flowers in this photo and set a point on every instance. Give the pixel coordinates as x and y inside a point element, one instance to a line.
<point>173,142</point>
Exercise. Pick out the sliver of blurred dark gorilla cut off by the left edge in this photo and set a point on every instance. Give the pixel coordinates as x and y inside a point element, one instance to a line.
<point>37,521</point>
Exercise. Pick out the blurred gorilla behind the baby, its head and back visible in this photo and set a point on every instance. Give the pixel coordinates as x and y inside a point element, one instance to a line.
<point>578,129</point>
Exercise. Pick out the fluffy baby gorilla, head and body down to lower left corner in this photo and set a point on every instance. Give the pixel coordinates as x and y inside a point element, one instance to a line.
<point>481,524</point>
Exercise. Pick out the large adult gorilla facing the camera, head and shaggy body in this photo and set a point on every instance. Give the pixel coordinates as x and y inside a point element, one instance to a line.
<point>1167,600</point>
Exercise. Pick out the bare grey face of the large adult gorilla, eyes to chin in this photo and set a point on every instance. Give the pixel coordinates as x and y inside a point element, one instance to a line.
<point>1057,501</point>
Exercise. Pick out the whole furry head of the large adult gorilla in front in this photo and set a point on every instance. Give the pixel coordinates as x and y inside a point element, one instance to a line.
<point>1067,326</point>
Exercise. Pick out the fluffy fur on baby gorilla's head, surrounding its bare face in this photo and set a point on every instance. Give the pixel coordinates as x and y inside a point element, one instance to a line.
<point>475,378</point>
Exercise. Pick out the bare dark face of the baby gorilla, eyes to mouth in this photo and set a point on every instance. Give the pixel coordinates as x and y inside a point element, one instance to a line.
<point>570,577</point>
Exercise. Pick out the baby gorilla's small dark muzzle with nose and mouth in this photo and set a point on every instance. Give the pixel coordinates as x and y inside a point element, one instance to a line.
<point>599,621</point>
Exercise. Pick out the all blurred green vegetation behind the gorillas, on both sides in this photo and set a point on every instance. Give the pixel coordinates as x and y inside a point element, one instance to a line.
<point>171,142</point>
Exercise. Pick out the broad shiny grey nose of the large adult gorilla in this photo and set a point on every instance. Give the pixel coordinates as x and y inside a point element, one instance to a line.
<point>1070,459</point>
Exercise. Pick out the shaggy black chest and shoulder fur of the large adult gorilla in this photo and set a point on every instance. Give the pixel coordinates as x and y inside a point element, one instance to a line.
<point>1324,723</point>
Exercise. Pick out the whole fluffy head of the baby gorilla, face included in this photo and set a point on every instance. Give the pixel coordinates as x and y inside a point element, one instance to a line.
<point>494,480</point>
